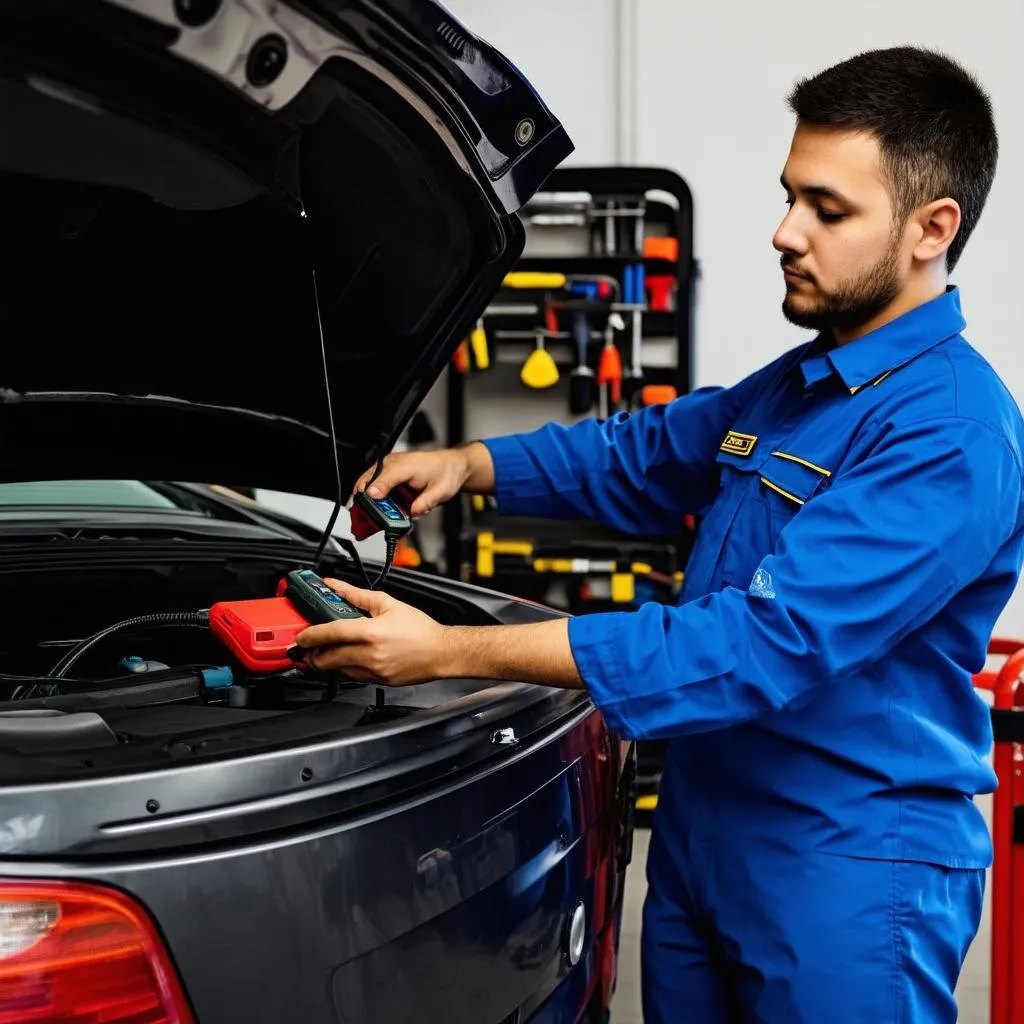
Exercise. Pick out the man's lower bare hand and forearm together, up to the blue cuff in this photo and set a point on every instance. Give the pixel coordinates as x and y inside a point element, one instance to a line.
<point>401,646</point>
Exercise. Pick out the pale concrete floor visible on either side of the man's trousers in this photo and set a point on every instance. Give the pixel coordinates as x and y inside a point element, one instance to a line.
<point>972,994</point>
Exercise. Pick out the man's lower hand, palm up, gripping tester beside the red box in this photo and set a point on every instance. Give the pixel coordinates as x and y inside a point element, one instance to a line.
<point>398,647</point>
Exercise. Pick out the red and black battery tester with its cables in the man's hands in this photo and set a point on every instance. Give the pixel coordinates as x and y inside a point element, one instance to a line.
<point>262,633</point>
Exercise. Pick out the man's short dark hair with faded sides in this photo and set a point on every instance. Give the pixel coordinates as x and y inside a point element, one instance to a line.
<point>933,123</point>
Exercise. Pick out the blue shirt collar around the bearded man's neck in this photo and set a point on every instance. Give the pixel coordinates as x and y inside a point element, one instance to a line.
<point>888,348</point>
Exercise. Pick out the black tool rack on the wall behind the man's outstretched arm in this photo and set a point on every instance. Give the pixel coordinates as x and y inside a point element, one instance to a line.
<point>604,221</point>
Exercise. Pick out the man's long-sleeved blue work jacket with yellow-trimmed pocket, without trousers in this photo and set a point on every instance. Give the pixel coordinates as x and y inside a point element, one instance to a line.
<point>861,533</point>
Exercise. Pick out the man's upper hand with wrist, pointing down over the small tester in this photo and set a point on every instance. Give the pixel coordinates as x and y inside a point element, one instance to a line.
<point>438,477</point>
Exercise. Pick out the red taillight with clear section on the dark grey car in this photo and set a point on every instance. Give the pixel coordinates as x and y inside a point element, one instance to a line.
<point>75,954</point>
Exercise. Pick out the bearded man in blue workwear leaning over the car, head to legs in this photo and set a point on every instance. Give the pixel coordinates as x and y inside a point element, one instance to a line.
<point>817,855</point>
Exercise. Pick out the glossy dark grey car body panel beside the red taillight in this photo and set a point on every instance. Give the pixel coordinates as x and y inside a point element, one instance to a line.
<point>452,906</point>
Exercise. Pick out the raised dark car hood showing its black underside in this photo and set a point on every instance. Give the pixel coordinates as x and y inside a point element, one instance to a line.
<point>182,180</point>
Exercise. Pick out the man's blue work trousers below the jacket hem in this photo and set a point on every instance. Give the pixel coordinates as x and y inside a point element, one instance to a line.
<point>782,936</point>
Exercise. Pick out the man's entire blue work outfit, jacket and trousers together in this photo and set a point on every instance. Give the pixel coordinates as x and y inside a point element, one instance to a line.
<point>817,856</point>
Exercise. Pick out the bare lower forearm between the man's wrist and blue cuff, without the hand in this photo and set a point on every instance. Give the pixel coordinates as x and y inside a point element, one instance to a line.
<point>538,653</point>
